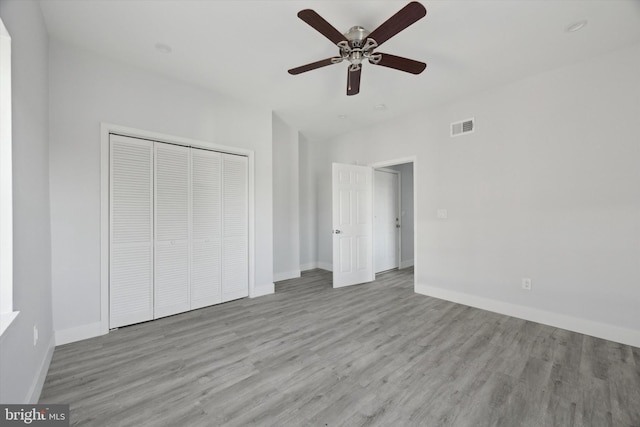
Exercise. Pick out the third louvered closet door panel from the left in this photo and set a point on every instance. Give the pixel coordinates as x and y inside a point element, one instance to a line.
<point>206,237</point>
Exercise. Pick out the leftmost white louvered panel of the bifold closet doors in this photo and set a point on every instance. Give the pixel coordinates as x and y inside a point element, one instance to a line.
<point>130,231</point>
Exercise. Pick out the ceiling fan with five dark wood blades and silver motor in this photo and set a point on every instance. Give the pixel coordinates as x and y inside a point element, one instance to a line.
<point>358,44</point>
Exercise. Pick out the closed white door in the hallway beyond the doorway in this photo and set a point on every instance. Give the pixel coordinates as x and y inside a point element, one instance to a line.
<point>386,220</point>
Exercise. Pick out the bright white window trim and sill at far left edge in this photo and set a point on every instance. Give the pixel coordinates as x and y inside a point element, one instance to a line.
<point>7,315</point>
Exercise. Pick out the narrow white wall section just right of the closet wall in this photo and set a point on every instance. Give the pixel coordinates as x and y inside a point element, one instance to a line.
<point>286,228</point>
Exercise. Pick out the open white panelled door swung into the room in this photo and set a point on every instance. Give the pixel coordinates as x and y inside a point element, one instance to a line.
<point>352,225</point>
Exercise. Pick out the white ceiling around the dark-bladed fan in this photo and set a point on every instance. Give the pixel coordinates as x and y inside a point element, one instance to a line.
<point>243,49</point>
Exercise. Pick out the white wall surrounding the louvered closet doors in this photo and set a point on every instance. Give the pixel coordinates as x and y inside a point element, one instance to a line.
<point>86,90</point>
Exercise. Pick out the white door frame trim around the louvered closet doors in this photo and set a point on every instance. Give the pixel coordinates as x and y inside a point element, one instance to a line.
<point>109,128</point>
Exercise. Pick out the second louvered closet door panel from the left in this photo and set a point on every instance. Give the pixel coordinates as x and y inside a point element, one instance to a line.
<point>172,230</point>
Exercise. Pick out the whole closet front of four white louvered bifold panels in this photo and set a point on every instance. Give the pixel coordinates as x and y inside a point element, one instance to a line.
<point>178,229</point>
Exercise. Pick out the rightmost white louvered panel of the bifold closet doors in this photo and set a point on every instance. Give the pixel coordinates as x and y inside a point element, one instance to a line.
<point>235,264</point>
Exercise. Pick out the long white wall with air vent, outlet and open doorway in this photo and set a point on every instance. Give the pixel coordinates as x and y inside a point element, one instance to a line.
<point>548,187</point>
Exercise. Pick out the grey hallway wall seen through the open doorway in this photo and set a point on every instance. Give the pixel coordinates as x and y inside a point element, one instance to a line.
<point>406,212</point>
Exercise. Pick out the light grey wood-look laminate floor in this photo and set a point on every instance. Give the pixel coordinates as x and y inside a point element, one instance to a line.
<point>371,354</point>
